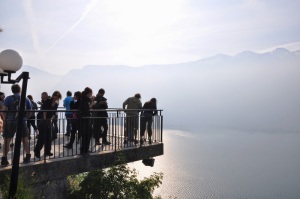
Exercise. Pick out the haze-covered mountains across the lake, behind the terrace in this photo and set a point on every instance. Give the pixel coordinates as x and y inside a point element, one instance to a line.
<point>248,91</point>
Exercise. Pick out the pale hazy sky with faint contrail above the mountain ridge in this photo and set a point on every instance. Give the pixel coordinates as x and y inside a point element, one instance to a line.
<point>60,35</point>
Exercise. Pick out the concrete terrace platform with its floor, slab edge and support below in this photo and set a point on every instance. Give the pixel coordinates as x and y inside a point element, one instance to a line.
<point>48,176</point>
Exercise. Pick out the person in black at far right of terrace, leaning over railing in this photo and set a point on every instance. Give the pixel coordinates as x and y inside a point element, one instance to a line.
<point>146,119</point>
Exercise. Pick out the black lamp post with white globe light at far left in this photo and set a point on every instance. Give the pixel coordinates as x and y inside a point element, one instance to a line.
<point>10,62</point>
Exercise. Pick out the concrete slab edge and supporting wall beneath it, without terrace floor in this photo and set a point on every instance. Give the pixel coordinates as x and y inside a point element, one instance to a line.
<point>50,180</point>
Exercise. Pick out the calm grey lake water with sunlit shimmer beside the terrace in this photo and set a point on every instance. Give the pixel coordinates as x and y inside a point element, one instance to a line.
<point>230,164</point>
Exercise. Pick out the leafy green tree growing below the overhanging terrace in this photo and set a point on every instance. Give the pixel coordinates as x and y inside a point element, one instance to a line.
<point>116,182</point>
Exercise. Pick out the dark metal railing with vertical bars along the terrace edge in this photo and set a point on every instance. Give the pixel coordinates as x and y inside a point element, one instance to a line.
<point>119,133</point>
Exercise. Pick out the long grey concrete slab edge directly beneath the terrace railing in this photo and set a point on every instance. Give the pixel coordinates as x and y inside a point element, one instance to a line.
<point>60,167</point>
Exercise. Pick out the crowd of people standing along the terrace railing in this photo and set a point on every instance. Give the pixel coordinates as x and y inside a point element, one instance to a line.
<point>80,120</point>
